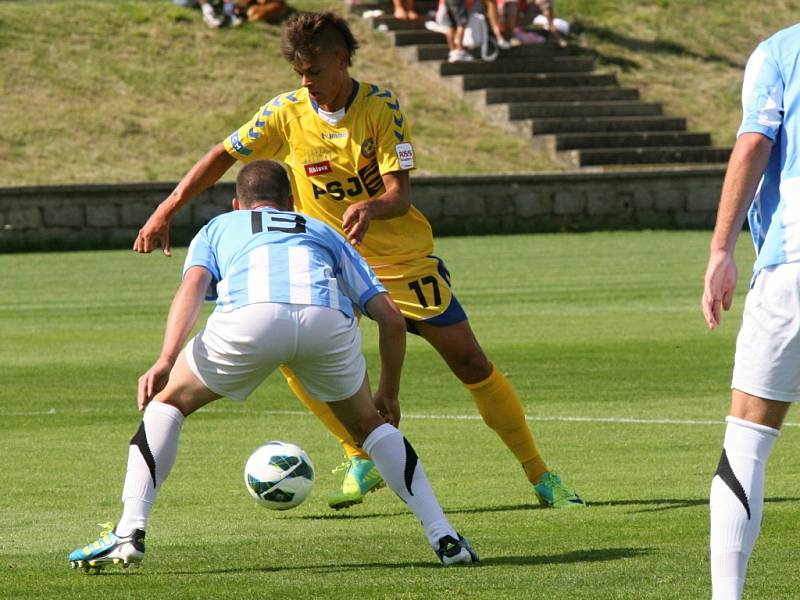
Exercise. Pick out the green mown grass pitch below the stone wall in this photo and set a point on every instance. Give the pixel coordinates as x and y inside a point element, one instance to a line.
<point>600,333</point>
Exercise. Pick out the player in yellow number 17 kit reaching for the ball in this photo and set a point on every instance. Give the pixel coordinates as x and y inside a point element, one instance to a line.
<point>349,148</point>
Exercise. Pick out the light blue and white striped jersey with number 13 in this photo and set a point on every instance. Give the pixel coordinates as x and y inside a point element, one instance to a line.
<point>265,255</point>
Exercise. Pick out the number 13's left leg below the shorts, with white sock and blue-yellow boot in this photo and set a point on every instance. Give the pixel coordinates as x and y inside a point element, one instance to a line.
<point>151,456</point>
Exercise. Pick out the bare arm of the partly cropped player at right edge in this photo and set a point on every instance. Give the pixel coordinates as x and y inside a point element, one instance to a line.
<point>748,161</point>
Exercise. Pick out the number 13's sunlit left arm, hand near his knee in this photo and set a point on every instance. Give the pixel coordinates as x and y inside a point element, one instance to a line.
<point>183,313</point>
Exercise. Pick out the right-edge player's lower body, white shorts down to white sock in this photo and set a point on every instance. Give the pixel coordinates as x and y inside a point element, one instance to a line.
<point>765,381</point>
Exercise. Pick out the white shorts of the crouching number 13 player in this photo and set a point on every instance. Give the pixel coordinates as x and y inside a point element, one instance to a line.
<point>237,350</point>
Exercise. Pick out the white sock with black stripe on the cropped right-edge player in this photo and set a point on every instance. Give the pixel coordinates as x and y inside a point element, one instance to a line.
<point>737,502</point>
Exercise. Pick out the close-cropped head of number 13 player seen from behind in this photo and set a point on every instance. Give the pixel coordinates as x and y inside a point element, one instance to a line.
<point>263,183</point>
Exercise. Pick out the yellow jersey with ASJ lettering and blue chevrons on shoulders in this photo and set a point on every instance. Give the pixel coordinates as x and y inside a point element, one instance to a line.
<point>334,166</point>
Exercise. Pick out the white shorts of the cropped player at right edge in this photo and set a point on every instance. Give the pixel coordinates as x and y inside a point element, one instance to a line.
<point>767,361</point>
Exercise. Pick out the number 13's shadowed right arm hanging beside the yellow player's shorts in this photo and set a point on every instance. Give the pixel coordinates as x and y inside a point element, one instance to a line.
<point>392,344</point>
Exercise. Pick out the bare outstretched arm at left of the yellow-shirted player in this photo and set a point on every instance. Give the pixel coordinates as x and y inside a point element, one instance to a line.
<point>205,173</point>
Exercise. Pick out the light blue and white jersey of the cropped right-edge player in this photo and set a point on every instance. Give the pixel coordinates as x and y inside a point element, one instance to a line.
<point>771,103</point>
